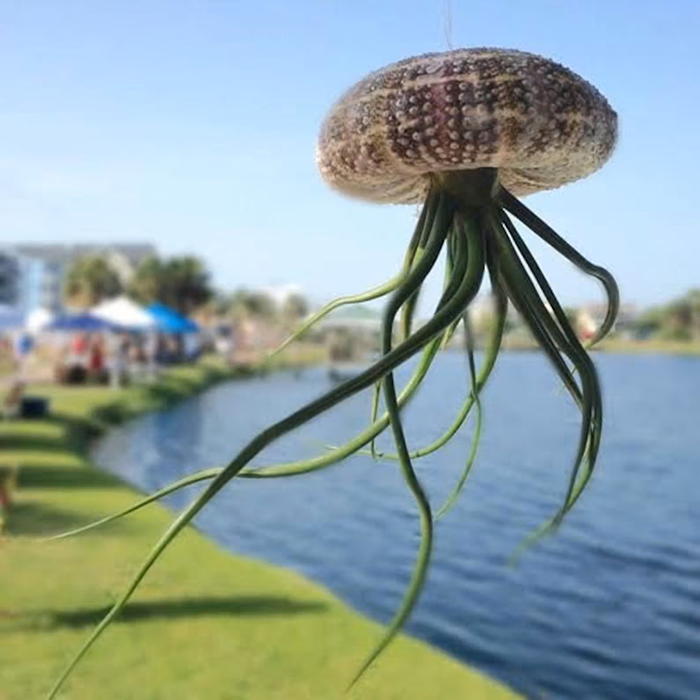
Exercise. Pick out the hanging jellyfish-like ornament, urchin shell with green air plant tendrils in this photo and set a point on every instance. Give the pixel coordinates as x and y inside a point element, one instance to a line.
<point>462,133</point>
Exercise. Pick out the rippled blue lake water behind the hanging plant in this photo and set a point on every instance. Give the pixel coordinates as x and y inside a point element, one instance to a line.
<point>608,609</point>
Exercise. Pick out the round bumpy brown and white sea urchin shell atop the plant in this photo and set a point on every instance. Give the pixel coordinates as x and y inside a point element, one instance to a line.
<point>538,123</point>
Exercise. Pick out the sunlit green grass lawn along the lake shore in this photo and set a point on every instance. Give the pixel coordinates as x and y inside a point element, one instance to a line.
<point>204,623</point>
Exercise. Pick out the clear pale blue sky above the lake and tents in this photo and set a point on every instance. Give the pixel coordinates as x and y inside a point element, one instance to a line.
<point>193,125</point>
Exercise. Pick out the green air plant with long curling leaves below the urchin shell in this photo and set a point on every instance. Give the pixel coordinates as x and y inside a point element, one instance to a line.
<point>465,215</point>
